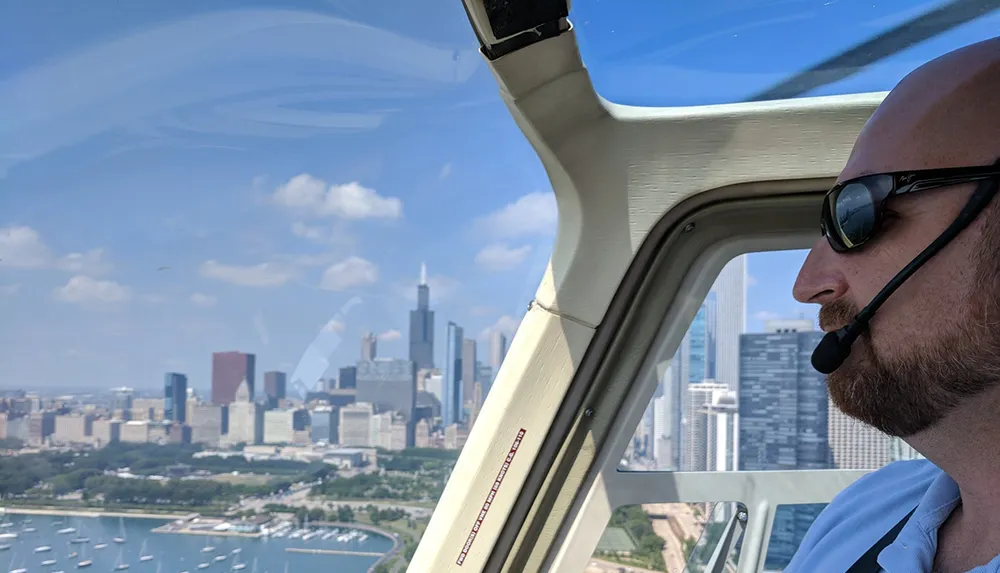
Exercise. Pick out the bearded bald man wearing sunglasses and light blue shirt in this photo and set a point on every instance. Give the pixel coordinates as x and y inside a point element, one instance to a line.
<point>927,367</point>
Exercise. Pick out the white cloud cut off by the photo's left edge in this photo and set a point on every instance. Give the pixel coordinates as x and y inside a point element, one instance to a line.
<point>23,247</point>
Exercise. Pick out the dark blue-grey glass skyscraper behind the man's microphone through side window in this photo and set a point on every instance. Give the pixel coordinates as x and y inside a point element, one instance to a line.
<point>783,422</point>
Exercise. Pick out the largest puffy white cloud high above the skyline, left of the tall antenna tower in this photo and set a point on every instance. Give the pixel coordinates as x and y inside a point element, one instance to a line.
<point>347,201</point>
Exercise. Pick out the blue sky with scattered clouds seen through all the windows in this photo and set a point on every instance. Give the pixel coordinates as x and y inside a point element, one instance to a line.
<point>178,179</point>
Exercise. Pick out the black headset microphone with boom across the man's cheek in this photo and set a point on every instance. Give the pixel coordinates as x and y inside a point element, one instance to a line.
<point>835,346</point>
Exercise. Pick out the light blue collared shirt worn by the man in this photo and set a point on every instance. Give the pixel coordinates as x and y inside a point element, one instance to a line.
<point>867,509</point>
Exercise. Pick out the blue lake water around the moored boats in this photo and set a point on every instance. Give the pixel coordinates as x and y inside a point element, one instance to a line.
<point>172,552</point>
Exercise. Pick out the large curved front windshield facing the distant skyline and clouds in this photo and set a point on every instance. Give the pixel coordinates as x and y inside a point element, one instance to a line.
<point>260,262</point>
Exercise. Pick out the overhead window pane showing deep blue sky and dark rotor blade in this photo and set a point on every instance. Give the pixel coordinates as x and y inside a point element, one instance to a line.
<point>699,53</point>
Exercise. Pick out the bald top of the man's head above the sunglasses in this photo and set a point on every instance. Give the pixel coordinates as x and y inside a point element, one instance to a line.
<point>944,114</point>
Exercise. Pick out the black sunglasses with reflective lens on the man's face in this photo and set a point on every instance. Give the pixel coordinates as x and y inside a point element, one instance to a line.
<point>853,210</point>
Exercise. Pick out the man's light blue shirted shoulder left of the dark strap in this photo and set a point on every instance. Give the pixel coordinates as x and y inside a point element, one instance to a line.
<point>861,514</point>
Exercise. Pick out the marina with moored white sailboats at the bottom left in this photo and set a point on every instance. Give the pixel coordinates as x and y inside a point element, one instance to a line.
<point>61,544</point>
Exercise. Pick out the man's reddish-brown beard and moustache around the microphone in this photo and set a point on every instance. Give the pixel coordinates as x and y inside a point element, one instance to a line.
<point>914,388</point>
